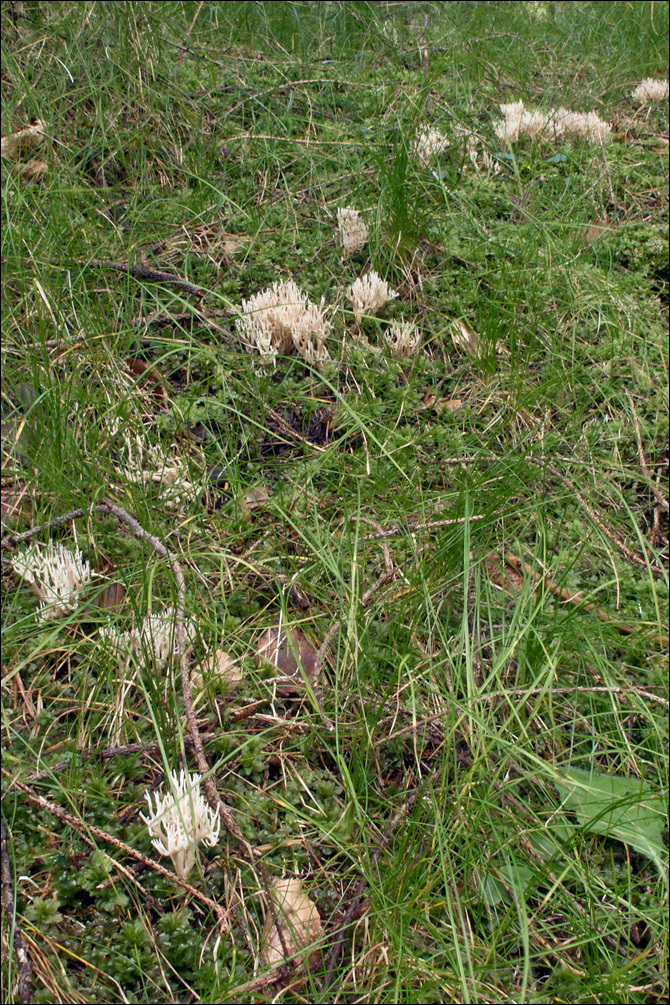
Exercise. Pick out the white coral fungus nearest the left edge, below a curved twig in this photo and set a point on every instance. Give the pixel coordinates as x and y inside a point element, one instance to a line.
<point>57,575</point>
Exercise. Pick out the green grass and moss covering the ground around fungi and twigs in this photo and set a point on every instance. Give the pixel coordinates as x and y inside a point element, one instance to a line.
<point>221,155</point>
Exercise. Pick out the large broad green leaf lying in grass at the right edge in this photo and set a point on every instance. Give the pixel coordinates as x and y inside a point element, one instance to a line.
<point>618,808</point>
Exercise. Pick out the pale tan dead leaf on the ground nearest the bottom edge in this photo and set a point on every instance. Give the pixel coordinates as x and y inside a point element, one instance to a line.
<point>301,924</point>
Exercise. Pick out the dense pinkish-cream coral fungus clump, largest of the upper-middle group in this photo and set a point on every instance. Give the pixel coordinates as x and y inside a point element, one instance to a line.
<point>281,319</point>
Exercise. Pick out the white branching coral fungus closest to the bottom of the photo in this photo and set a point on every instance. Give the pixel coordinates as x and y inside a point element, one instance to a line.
<point>181,822</point>
